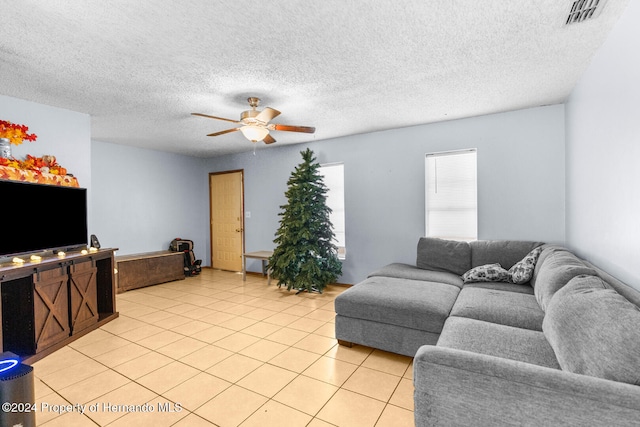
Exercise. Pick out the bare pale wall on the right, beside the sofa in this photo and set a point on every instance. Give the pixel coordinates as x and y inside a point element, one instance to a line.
<point>603,155</point>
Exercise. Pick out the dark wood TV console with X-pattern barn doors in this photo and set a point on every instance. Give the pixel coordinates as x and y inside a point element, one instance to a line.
<point>47,304</point>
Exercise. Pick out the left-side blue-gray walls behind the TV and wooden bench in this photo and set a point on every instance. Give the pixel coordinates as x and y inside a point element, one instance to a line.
<point>138,200</point>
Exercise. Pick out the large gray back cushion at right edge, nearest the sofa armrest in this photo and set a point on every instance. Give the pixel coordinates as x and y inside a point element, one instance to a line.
<point>594,330</point>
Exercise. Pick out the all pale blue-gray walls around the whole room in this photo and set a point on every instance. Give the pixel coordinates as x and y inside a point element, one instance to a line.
<point>521,159</point>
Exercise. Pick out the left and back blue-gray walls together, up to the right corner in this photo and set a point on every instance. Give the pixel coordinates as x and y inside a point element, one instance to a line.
<point>141,199</point>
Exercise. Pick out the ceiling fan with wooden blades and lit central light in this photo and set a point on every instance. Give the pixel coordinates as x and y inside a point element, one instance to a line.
<point>255,124</point>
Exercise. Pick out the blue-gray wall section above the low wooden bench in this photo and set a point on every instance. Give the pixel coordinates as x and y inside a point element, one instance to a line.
<point>144,198</point>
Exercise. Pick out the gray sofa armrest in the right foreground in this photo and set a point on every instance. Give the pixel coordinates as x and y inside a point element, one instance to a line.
<point>455,387</point>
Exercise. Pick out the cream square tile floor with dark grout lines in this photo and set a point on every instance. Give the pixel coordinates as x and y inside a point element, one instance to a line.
<point>213,350</point>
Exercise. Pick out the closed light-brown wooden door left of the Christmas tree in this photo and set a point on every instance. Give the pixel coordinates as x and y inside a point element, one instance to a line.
<point>227,224</point>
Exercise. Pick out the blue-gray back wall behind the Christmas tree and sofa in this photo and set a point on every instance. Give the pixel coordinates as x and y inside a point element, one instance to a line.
<point>521,183</point>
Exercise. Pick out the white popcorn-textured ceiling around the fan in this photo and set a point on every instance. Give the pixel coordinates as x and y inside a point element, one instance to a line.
<point>139,68</point>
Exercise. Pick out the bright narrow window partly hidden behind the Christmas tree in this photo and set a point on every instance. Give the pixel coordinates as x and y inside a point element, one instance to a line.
<point>333,175</point>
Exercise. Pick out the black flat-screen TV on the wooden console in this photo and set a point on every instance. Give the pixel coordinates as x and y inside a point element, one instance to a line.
<point>37,218</point>
